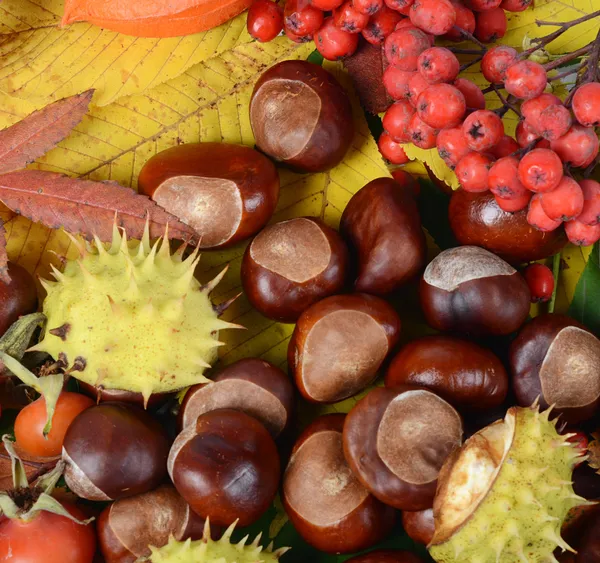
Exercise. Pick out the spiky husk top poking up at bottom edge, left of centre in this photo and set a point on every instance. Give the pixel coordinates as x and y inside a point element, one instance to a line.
<point>208,551</point>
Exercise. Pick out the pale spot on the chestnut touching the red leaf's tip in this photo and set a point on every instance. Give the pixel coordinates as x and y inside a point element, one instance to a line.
<point>211,206</point>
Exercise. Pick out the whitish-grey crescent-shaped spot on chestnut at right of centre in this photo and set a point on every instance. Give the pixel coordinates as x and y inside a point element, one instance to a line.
<point>462,264</point>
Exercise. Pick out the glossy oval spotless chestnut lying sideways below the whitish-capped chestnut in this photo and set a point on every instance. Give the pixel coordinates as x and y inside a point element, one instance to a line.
<point>466,375</point>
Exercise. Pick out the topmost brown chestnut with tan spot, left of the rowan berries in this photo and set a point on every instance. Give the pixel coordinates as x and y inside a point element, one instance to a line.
<point>301,115</point>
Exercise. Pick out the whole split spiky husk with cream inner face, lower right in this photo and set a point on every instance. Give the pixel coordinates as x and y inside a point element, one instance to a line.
<point>504,495</point>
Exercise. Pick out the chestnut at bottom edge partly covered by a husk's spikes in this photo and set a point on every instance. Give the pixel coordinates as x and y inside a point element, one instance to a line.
<point>129,526</point>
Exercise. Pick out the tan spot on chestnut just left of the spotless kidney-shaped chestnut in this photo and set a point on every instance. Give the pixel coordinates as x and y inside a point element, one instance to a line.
<point>297,250</point>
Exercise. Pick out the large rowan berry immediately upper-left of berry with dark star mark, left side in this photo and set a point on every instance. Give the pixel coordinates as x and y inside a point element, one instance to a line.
<point>441,105</point>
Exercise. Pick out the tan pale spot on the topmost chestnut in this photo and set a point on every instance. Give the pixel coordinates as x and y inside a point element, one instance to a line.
<point>284,114</point>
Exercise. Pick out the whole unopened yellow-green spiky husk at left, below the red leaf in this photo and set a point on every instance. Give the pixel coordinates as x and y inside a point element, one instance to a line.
<point>131,316</point>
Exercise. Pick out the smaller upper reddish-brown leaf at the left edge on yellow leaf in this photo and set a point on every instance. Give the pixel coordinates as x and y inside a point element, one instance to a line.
<point>35,135</point>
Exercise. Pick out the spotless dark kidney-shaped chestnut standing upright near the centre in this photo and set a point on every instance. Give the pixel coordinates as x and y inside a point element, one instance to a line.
<point>381,222</point>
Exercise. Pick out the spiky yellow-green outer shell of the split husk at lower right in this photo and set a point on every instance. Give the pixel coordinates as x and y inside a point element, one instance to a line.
<point>520,517</point>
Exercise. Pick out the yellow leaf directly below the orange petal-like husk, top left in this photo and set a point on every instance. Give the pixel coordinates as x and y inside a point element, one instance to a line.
<point>41,62</point>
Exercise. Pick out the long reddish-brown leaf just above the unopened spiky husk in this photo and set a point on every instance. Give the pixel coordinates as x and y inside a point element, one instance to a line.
<point>85,207</point>
